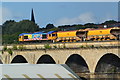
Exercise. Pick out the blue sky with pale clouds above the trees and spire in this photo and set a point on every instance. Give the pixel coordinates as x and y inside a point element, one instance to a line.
<point>60,13</point>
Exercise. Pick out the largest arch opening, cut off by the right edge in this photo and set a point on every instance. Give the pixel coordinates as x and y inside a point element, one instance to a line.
<point>108,63</point>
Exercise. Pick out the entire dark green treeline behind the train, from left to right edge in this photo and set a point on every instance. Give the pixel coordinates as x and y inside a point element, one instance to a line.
<point>11,29</point>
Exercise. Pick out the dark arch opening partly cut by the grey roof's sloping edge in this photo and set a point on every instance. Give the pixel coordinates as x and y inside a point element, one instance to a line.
<point>77,64</point>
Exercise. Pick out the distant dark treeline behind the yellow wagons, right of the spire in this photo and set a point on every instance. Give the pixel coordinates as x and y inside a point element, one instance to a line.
<point>51,27</point>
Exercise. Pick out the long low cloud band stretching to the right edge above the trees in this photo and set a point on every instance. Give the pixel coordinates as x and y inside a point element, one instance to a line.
<point>85,18</point>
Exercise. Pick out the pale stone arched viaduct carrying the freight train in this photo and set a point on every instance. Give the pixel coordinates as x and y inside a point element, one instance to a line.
<point>91,56</point>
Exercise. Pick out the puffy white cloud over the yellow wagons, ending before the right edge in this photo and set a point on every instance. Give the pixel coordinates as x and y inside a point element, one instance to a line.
<point>81,19</point>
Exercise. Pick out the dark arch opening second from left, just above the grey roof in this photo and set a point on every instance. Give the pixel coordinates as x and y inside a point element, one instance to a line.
<point>46,59</point>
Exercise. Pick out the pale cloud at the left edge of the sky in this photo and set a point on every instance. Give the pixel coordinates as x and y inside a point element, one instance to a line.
<point>5,14</point>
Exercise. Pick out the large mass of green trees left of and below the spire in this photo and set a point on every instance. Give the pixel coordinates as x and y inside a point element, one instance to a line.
<point>12,29</point>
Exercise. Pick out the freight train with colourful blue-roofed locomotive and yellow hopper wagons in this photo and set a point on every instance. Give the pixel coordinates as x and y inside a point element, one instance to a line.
<point>73,36</point>
